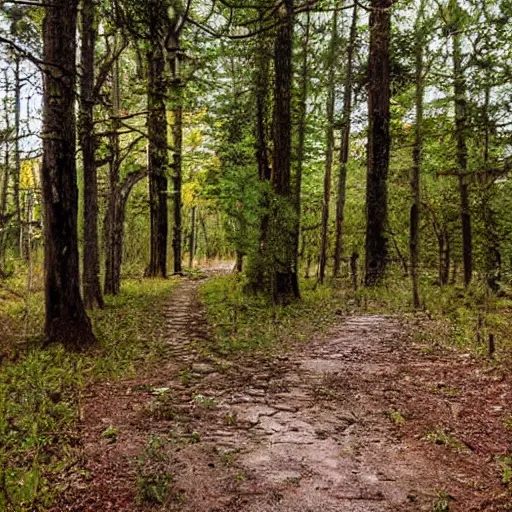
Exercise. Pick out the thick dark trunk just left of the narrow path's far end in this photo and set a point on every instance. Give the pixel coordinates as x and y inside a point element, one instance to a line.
<point>158,160</point>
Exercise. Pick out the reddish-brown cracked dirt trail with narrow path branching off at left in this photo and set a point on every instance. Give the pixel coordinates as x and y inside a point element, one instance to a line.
<point>359,419</point>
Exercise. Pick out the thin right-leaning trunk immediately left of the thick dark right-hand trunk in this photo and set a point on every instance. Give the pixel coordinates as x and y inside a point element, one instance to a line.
<point>345,145</point>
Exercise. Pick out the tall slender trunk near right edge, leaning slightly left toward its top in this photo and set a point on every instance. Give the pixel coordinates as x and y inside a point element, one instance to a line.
<point>459,88</point>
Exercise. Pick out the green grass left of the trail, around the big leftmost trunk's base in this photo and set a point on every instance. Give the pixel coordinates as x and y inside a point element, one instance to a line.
<point>40,389</point>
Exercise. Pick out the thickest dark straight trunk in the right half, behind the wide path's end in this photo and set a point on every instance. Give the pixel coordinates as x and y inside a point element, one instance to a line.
<point>378,142</point>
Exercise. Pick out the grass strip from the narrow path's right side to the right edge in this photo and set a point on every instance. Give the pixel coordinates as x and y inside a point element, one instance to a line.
<point>451,315</point>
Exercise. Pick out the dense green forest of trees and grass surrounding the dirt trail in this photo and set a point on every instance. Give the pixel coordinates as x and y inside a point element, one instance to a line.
<point>322,158</point>
